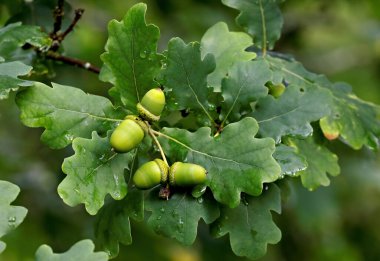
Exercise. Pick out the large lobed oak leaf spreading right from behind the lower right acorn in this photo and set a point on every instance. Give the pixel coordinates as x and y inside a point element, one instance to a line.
<point>236,161</point>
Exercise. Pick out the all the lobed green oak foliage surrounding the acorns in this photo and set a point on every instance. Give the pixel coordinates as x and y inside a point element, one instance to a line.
<point>246,139</point>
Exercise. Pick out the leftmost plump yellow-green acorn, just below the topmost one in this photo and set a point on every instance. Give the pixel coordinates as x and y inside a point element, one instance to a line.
<point>127,136</point>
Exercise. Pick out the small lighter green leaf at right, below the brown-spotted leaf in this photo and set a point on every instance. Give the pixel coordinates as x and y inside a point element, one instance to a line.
<point>320,162</point>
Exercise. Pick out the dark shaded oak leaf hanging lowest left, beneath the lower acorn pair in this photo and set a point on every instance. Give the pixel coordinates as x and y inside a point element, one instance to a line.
<point>112,225</point>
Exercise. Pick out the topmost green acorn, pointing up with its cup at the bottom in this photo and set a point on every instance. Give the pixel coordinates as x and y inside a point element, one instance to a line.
<point>151,105</point>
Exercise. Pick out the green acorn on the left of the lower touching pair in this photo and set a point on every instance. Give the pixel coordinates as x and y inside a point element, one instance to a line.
<point>151,174</point>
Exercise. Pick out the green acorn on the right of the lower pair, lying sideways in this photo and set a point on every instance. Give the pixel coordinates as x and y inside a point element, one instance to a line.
<point>186,174</point>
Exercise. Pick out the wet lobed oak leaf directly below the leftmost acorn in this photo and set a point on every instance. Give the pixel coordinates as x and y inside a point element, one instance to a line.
<point>94,171</point>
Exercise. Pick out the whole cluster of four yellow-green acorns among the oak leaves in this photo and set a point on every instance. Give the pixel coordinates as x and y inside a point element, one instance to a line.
<point>131,131</point>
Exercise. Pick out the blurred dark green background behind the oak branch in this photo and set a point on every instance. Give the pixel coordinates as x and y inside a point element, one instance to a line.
<point>338,38</point>
